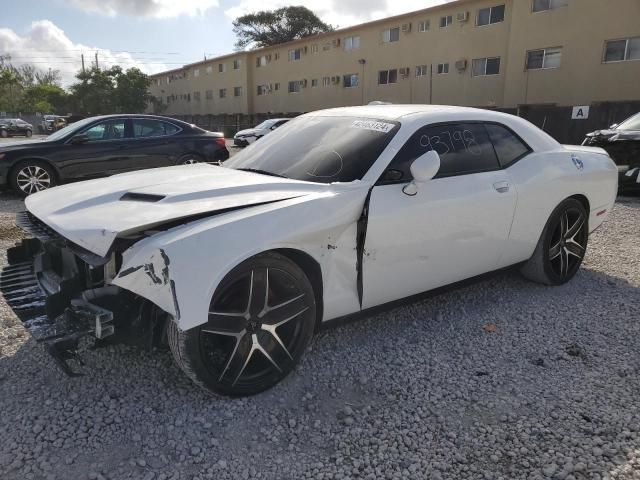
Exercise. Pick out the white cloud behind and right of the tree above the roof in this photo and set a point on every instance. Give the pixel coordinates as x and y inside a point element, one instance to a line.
<point>341,13</point>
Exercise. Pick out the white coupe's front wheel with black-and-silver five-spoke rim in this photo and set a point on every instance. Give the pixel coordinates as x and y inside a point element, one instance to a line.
<point>261,319</point>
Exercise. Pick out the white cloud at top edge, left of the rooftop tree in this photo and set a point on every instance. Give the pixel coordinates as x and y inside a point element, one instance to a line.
<point>144,8</point>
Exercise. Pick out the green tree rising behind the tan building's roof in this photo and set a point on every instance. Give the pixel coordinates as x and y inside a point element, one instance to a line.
<point>270,27</point>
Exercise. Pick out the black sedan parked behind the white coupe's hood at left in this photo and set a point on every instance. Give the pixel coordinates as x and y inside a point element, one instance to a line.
<point>106,145</point>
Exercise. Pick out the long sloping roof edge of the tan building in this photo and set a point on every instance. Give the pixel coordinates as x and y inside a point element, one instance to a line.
<point>447,4</point>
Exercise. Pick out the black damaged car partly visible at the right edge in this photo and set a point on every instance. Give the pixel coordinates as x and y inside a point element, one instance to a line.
<point>622,142</point>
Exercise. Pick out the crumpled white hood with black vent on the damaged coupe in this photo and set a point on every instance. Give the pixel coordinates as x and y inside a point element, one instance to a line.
<point>93,213</point>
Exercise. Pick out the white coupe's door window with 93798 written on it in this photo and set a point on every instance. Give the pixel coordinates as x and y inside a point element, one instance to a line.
<point>464,148</point>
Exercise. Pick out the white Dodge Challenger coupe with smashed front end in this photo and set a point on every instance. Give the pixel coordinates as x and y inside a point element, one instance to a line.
<point>334,213</point>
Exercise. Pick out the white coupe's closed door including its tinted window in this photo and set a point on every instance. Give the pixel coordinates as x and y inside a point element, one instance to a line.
<point>454,228</point>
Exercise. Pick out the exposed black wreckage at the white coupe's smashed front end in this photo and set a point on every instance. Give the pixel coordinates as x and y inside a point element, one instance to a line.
<point>63,293</point>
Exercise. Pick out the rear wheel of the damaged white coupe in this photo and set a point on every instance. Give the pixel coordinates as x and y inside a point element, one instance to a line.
<point>562,245</point>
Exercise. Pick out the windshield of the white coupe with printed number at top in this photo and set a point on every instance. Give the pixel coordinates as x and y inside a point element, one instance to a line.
<point>319,149</point>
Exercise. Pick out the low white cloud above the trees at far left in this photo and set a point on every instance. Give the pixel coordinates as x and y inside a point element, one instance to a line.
<point>44,45</point>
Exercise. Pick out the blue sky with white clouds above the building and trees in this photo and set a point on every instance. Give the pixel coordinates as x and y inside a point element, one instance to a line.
<point>153,35</point>
